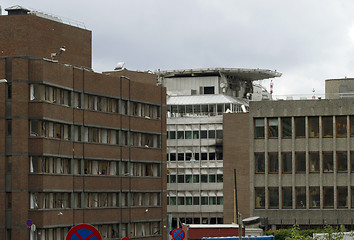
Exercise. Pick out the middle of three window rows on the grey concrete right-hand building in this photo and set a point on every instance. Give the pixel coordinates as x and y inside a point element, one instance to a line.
<point>314,161</point>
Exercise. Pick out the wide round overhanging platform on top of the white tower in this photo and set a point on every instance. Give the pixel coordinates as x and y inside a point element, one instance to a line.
<point>240,73</point>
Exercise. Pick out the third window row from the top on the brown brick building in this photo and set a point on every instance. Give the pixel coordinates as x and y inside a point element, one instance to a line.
<point>57,165</point>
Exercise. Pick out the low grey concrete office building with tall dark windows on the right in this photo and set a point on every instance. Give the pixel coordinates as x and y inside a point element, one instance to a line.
<point>301,158</point>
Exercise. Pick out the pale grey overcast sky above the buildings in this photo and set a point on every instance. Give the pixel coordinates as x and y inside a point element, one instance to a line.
<point>306,40</point>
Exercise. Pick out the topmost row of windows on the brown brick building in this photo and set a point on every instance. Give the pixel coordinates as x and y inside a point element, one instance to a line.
<point>40,92</point>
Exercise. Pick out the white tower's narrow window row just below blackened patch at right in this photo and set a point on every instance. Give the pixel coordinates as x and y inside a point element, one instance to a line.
<point>188,156</point>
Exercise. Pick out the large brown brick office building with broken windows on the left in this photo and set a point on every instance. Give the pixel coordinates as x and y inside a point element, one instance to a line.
<point>76,146</point>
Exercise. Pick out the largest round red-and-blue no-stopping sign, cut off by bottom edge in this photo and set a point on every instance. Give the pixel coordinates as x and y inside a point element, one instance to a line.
<point>83,232</point>
